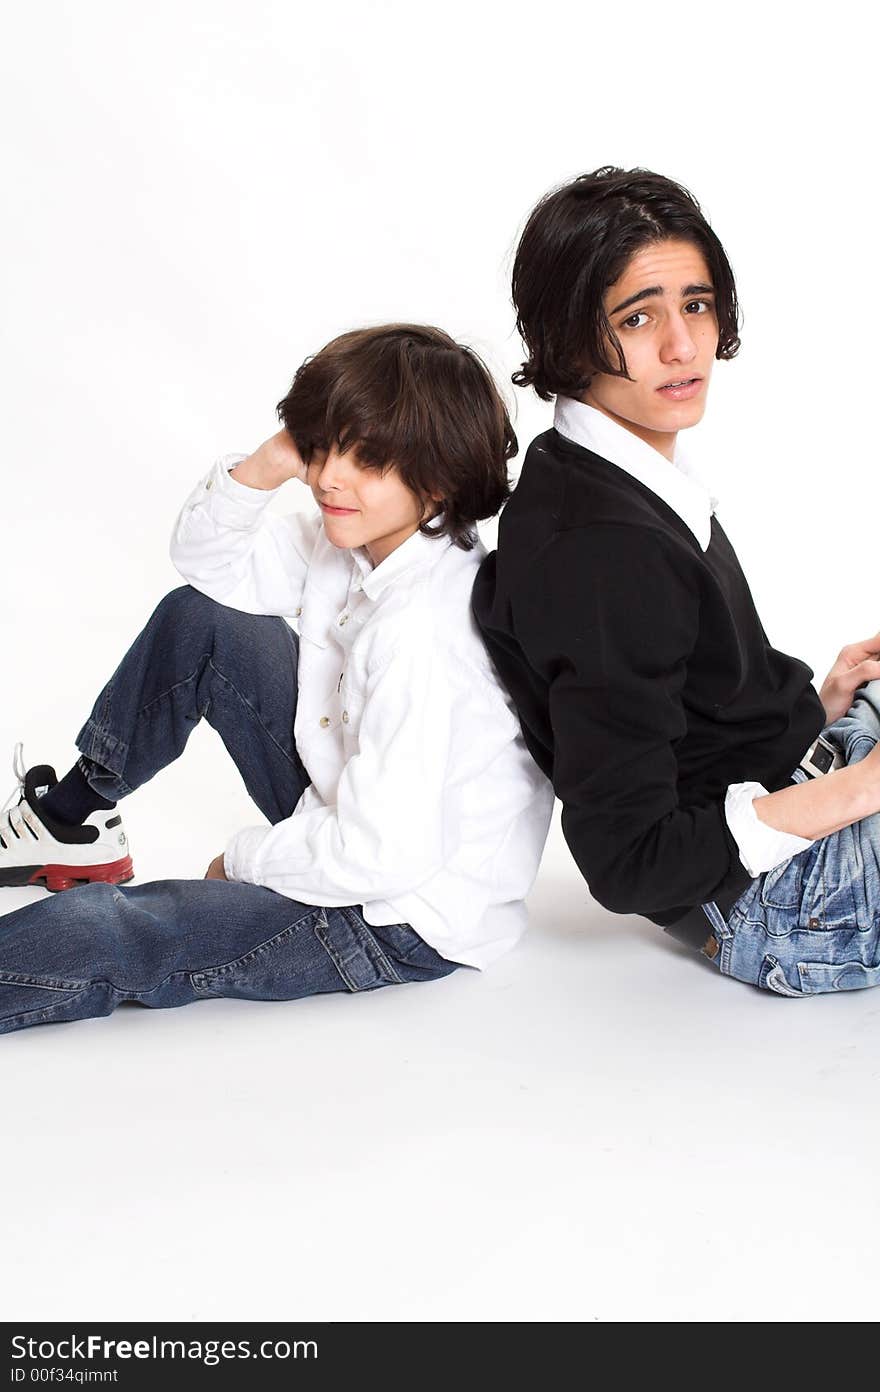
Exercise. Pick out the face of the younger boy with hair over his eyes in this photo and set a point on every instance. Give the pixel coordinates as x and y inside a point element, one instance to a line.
<point>363,507</point>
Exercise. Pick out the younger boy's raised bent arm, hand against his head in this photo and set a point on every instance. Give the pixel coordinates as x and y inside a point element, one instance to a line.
<point>229,546</point>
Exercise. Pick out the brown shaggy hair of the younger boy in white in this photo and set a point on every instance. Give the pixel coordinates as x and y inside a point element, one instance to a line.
<point>410,397</point>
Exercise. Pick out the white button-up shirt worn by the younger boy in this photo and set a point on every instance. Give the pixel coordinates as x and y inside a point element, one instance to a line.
<point>425,807</point>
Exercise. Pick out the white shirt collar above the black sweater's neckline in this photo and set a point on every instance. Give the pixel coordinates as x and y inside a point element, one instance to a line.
<point>676,482</point>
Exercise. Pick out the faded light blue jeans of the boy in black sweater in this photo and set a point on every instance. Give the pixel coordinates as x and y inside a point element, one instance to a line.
<point>814,924</point>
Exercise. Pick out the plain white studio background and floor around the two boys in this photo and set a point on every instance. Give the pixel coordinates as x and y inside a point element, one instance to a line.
<point>197,197</point>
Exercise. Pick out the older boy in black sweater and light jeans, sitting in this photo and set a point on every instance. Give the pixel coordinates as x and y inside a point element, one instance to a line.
<point>704,782</point>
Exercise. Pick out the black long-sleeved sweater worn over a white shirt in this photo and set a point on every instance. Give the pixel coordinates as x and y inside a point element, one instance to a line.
<point>644,680</point>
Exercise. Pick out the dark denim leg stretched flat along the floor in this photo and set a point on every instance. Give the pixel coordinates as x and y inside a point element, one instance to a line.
<point>176,942</point>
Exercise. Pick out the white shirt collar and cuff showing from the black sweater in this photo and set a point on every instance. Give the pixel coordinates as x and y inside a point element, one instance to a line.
<point>680,487</point>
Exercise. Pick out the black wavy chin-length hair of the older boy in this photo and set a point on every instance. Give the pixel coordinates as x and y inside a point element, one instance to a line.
<point>577,243</point>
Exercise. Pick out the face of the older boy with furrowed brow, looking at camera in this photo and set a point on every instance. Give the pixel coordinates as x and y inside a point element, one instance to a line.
<point>662,310</point>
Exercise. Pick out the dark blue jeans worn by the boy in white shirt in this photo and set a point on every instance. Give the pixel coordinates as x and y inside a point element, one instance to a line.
<point>175,942</point>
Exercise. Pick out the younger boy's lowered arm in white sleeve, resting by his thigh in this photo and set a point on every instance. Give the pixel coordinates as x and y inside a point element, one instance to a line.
<point>385,836</point>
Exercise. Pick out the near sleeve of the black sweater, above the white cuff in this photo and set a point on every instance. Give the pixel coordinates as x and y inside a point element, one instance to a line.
<point>612,620</point>
